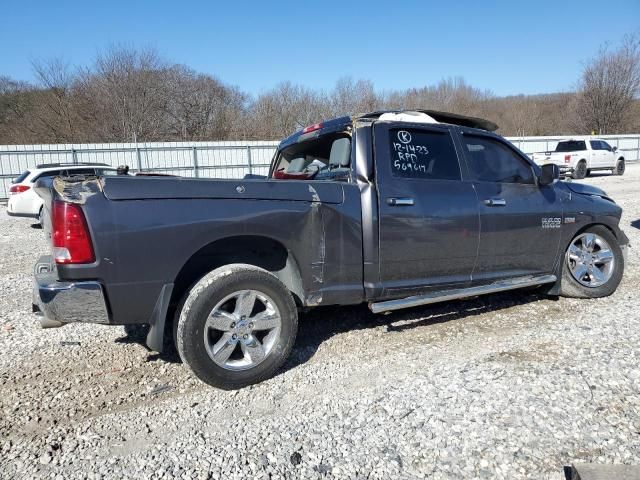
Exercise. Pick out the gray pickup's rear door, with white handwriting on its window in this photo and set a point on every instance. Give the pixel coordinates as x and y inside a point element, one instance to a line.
<point>428,216</point>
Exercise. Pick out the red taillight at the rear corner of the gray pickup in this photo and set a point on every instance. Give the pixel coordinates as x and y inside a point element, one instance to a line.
<point>70,234</point>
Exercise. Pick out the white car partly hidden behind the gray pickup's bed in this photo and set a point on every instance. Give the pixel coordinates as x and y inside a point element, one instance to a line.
<point>23,200</point>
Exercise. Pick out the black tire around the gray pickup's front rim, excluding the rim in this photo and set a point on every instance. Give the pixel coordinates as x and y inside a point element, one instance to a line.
<point>570,287</point>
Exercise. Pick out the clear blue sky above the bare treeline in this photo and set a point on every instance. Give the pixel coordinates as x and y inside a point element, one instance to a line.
<point>506,47</point>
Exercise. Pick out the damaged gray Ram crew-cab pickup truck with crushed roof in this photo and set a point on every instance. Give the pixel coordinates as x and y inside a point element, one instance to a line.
<point>393,209</point>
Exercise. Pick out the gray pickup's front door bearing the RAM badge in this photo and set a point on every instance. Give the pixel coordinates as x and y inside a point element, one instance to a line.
<point>520,220</point>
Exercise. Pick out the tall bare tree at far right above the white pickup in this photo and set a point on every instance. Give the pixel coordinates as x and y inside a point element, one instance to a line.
<point>609,86</point>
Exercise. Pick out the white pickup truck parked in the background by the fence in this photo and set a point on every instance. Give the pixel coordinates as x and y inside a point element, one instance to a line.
<point>579,157</point>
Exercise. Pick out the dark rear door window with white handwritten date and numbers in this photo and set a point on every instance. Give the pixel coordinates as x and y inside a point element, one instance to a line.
<point>423,154</point>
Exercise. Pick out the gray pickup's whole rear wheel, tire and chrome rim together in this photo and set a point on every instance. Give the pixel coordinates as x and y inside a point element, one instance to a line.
<point>237,326</point>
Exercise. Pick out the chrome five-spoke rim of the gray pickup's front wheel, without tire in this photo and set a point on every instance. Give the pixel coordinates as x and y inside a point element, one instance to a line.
<point>590,260</point>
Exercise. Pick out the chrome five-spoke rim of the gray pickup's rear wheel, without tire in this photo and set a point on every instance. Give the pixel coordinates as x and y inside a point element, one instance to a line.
<point>242,329</point>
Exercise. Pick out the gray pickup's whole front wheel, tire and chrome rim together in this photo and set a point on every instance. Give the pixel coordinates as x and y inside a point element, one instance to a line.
<point>593,265</point>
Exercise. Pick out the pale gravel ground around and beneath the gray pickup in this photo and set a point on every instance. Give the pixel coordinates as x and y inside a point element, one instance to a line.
<point>505,386</point>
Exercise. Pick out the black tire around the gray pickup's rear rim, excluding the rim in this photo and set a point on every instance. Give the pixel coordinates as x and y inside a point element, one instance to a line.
<point>201,300</point>
